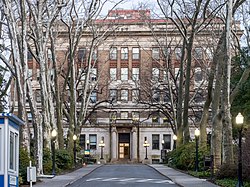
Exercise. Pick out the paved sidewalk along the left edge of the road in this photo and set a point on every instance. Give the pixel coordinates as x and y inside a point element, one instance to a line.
<point>64,180</point>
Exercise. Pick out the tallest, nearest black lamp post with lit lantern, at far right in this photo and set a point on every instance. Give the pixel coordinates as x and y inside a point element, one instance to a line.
<point>239,122</point>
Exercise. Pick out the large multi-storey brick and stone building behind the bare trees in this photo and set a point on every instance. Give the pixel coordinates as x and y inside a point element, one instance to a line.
<point>137,70</point>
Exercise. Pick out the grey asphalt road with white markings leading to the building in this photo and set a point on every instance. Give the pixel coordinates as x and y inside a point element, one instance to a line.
<point>124,175</point>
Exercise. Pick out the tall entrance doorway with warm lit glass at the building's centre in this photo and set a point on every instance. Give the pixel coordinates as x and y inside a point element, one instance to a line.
<point>124,146</point>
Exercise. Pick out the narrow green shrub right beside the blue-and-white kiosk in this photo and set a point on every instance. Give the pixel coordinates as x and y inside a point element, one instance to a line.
<point>23,164</point>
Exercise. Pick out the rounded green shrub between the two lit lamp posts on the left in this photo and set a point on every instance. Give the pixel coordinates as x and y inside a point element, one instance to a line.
<point>64,159</point>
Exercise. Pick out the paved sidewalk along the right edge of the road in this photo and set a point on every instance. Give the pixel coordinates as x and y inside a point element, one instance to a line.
<point>180,178</point>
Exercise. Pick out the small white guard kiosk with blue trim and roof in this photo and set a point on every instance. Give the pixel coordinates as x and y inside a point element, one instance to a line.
<point>9,149</point>
